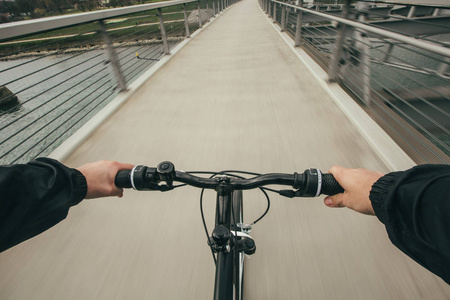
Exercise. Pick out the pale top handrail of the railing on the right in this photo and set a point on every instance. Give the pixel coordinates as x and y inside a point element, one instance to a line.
<point>435,48</point>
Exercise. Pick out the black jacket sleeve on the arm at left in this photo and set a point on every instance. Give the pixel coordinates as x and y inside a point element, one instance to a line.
<point>36,196</point>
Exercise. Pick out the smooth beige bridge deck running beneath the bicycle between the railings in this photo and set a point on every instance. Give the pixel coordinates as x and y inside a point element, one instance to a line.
<point>234,98</point>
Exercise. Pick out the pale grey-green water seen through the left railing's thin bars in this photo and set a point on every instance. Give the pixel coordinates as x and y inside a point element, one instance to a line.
<point>57,95</point>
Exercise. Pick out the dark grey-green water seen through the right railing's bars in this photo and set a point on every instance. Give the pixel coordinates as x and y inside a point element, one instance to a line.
<point>423,97</point>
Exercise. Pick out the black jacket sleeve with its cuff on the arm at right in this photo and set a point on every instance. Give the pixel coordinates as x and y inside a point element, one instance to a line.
<point>414,205</point>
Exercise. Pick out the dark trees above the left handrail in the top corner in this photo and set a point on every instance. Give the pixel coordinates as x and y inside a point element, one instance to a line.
<point>23,9</point>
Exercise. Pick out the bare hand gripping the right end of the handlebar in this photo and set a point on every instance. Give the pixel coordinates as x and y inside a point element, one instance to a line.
<point>357,184</point>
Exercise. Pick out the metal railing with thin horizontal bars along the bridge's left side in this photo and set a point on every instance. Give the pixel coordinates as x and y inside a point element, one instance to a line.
<point>57,73</point>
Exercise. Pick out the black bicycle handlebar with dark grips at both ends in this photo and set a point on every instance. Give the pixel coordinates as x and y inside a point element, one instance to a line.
<point>310,183</point>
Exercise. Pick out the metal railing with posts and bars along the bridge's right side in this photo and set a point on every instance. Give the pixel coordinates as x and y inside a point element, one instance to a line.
<point>393,59</point>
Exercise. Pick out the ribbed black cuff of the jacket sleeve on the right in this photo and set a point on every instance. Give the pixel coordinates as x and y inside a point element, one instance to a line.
<point>378,194</point>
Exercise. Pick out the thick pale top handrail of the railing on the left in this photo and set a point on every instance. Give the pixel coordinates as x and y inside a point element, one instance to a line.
<point>21,28</point>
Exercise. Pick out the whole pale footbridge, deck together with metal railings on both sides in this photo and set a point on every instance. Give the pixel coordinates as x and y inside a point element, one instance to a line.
<point>246,90</point>
